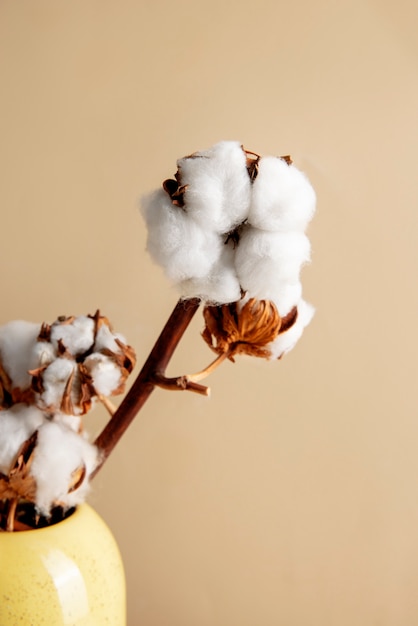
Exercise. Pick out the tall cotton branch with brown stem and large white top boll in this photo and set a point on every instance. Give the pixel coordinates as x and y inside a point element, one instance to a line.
<point>229,232</point>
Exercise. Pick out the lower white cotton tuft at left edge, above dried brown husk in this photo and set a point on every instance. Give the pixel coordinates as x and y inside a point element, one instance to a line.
<point>16,426</point>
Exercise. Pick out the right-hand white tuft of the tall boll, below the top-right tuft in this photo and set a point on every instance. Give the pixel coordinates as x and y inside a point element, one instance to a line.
<point>267,261</point>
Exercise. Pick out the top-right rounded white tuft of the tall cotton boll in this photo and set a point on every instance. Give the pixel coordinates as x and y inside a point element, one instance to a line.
<point>282,197</point>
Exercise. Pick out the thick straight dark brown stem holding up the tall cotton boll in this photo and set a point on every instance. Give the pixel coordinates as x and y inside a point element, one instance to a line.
<point>145,382</point>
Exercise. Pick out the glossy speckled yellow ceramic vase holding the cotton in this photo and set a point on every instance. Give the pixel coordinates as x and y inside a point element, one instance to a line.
<point>70,573</point>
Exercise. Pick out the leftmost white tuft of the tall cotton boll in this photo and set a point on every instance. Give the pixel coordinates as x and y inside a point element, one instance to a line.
<point>176,242</point>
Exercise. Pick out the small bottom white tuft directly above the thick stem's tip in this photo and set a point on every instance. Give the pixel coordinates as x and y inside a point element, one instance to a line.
<point>220,286</point>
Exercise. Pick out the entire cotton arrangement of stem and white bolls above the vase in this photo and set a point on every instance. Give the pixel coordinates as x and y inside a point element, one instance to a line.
<point>229,231</point>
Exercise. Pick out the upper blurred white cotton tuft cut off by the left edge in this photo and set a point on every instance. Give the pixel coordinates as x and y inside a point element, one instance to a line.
<point>17,340</point>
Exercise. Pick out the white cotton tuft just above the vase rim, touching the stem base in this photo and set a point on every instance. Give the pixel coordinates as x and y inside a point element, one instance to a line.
<point>59,453</point>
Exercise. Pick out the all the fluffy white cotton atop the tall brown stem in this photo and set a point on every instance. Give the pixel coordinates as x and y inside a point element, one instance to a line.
<point>261,208</point>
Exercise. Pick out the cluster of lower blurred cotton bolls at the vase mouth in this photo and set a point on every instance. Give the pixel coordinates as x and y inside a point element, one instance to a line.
<point>51,376</point>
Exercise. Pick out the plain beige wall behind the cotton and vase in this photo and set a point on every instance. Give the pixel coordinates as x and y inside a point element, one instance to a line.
<point>290,497</point>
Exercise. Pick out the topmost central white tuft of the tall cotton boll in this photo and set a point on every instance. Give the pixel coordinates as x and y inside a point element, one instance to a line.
<point>218,186</point>
